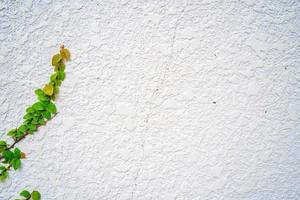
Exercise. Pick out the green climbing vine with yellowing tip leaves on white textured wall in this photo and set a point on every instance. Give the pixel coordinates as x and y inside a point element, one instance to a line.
<point>38,114</point>
